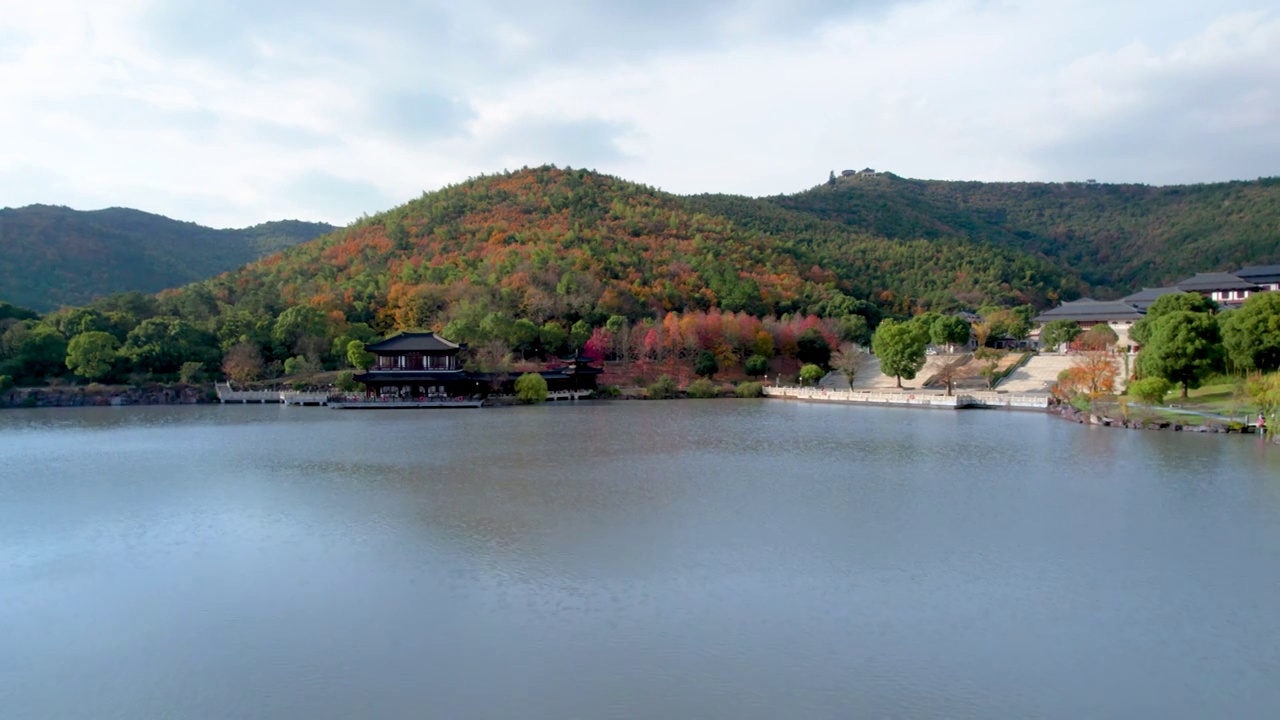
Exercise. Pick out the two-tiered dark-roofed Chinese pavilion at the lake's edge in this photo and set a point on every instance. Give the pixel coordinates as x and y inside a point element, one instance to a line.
<point>419,366</point>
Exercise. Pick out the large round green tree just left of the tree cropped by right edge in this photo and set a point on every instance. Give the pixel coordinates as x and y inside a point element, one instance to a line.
<point>1183,348</point>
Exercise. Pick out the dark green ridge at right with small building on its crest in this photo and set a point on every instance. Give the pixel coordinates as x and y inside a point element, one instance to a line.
<point>1119,238</point>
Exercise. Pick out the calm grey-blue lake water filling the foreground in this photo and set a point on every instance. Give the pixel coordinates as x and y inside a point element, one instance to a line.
<point>714,559</point>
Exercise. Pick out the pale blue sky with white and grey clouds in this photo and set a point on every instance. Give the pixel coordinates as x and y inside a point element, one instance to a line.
<point>236,112</point>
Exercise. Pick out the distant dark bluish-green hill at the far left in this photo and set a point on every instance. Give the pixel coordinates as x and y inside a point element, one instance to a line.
<point>53,257</point>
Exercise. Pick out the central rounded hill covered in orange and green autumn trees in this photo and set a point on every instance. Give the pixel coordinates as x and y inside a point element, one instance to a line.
<point>566,245</point>
